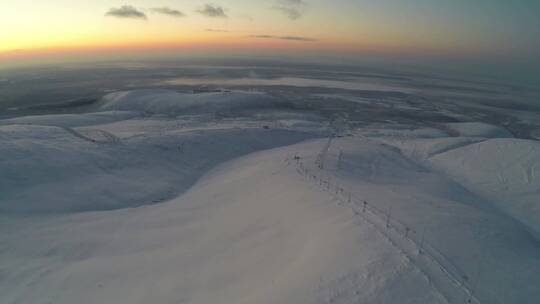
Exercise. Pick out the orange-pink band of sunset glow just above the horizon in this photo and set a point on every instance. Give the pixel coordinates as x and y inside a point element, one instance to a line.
<point>243,44</point>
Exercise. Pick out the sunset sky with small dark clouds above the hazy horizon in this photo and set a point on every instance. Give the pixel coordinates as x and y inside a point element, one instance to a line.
<point>480,28</point>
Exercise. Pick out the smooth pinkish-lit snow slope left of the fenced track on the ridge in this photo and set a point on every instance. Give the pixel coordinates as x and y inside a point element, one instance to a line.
<point>250,231</point>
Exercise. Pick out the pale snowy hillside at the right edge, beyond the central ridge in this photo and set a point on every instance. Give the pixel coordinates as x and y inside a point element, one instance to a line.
<point>505,171</point>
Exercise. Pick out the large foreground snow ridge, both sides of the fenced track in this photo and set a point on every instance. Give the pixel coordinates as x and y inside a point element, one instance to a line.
<point>254,230</point>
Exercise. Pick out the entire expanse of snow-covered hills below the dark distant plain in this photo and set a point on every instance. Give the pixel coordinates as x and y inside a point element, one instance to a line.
<point>231,197</point>
